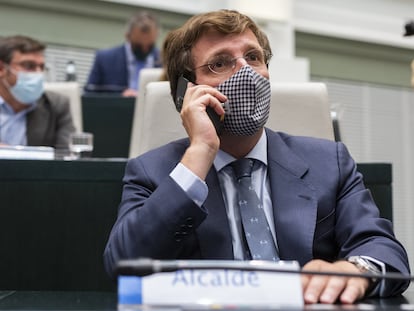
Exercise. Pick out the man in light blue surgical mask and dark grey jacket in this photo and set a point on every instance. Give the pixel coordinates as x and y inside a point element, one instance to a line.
<point>28,115</point>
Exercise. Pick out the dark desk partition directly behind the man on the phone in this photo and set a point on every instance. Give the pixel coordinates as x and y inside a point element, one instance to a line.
<point>55,218</point>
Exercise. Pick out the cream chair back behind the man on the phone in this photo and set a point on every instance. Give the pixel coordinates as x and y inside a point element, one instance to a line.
<point>299,109</point>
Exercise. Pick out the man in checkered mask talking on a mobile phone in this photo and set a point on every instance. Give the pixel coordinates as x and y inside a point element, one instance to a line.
<point>184,200</point>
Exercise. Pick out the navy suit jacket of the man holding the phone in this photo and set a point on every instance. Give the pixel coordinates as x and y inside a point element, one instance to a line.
<point>320,204</point>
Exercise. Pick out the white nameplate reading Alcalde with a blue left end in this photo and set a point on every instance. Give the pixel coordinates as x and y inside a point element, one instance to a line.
<point>216,288</point>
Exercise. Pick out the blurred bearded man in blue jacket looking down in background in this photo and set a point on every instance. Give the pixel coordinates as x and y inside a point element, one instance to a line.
<point>117,69</point>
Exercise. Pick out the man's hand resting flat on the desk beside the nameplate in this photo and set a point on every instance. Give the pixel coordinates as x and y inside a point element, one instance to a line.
<point>328,289</point>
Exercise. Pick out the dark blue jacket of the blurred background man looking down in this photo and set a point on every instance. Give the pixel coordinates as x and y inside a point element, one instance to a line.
<point>109,72</point>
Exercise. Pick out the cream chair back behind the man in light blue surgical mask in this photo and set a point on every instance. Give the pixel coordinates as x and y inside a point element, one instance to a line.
<point>72,91</point>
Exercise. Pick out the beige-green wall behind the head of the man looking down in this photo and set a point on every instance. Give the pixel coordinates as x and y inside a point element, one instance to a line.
<point>78,23</point>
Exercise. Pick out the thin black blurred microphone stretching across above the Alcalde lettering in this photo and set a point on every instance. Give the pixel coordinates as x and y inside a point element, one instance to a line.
<point>146,266</point>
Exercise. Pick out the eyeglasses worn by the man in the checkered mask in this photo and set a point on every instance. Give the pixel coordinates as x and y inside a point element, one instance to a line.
<point>222,64</point>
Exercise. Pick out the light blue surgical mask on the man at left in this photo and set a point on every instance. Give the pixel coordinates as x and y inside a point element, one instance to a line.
<point>28,87</point>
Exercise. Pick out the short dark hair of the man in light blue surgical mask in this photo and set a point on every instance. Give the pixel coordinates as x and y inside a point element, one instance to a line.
<point>22,44</point>
